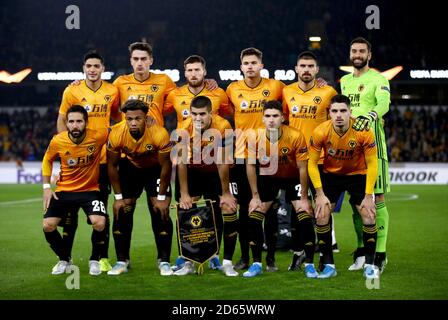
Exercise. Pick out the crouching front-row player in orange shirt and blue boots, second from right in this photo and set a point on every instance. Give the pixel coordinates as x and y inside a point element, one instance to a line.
<point>283,151</point>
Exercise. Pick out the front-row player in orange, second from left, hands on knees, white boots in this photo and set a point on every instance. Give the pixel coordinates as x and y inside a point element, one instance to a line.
<point>147,165</point>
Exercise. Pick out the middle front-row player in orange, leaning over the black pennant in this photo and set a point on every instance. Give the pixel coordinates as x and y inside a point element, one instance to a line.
<point>214,135</point>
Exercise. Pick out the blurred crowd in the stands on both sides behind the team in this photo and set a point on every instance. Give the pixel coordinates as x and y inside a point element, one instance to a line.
<point>414,134</point>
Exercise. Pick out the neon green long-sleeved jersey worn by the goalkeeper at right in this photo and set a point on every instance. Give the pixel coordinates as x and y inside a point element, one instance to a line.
<point>369,92</point>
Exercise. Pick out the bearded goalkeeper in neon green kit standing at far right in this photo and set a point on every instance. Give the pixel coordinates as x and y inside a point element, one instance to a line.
<point>369,93</point>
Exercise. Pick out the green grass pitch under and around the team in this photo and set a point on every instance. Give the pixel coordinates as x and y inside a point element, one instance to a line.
<point>417,253</point>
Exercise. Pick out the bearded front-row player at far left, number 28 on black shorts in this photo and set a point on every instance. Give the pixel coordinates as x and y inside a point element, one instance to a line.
<point>79,149</point>
